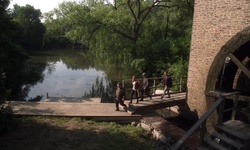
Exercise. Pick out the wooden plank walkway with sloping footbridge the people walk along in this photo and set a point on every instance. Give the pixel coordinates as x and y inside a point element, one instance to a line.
<point>92,108</point>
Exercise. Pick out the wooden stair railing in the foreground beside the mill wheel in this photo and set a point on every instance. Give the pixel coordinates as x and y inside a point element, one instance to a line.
<point>201,124</point>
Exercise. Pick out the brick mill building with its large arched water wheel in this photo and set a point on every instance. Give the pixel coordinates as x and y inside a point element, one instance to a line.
<point>219,52</point>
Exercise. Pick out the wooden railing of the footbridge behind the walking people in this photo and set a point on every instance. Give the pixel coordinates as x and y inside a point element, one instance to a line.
<point>179,84</point>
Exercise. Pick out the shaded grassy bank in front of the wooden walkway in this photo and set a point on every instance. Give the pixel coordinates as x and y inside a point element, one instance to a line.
<point>50,133</point>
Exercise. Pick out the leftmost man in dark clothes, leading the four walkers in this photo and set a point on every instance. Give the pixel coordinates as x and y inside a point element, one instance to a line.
<point>119,97</point>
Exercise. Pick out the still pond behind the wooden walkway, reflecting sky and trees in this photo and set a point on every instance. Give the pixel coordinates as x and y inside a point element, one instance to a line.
<point>67,74</point>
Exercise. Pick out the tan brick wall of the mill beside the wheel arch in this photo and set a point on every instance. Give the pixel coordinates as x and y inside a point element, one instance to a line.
<point>215,23</point>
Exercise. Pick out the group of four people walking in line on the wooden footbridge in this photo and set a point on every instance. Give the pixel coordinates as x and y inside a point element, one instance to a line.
<point>120,91</point>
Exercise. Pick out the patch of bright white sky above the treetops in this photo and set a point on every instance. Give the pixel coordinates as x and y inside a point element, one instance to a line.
<point>43,5</point>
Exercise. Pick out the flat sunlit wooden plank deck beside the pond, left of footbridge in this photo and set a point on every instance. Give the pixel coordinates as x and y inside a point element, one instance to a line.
<point>87,110</point>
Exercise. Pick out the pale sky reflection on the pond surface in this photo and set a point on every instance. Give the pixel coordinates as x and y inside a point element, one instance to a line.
<point>64,82</point>
